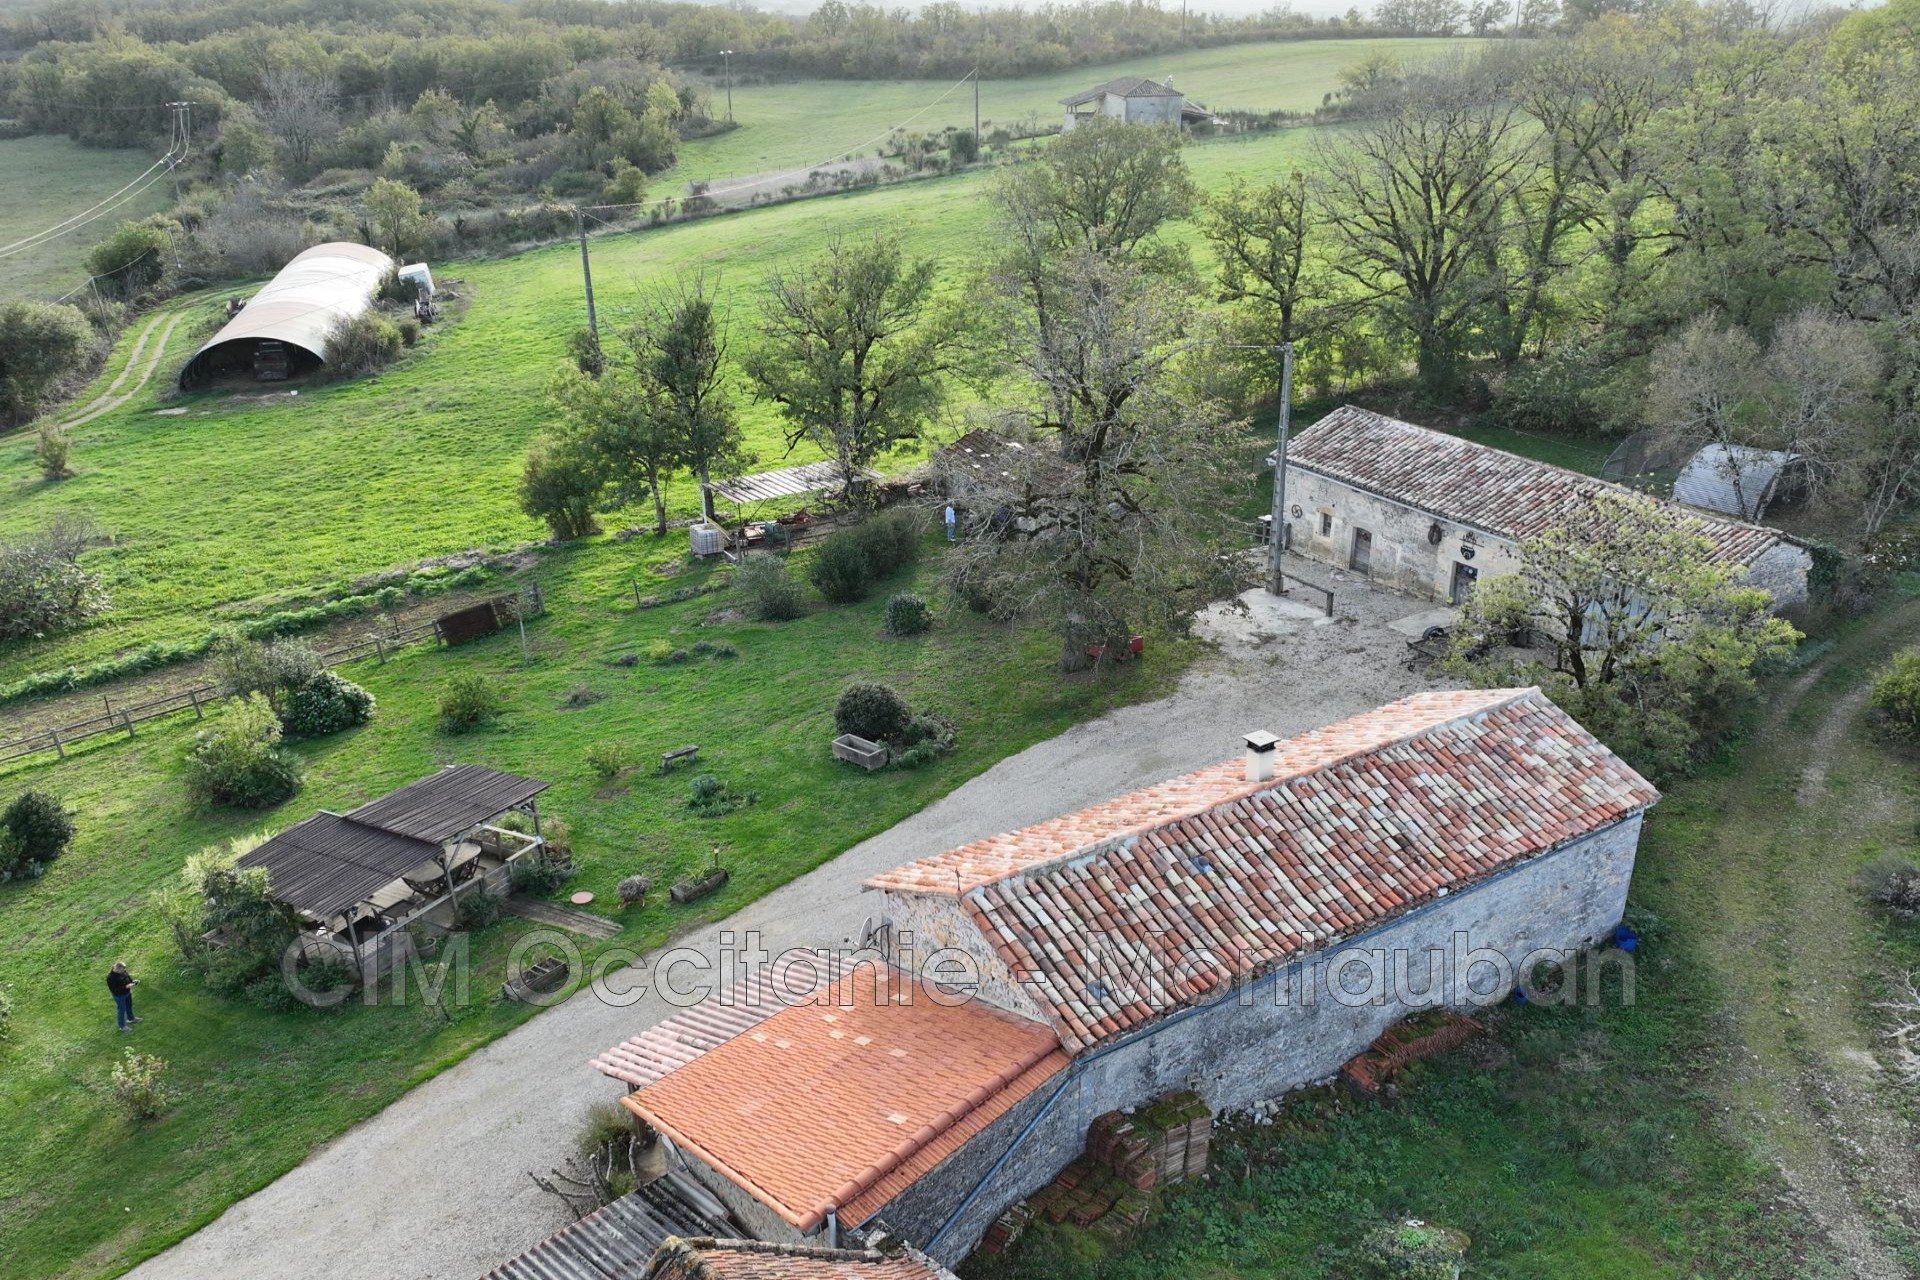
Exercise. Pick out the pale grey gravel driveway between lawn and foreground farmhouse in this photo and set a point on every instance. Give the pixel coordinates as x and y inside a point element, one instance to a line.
<point>437,1185</point>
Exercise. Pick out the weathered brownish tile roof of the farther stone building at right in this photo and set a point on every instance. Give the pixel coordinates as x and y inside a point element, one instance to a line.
<point>1474,485</point>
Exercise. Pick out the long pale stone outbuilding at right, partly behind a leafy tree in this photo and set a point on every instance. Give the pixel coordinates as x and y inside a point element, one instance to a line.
<point>1428,513</point>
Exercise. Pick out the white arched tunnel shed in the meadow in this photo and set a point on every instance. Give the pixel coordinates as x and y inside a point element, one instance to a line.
<point>295,312</point>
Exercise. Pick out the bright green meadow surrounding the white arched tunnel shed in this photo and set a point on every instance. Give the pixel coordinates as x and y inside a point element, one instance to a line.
<point>249,504</point>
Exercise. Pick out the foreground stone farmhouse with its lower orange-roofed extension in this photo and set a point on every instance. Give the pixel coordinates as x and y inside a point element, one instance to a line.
<point>1236,932</point>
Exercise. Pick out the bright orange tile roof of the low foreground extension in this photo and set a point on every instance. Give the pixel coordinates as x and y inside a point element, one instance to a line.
<point>848,1102</point>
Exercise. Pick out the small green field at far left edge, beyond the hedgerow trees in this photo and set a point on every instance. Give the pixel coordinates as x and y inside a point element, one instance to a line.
<point>45,181</point>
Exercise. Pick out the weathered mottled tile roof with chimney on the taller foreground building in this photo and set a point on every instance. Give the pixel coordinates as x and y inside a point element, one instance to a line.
<point>1362,822</point>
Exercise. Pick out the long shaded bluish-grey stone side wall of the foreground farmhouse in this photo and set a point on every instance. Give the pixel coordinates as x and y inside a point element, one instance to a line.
<point>1270,1039</point>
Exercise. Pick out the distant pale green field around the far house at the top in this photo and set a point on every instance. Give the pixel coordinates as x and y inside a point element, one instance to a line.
<point>807,122</point>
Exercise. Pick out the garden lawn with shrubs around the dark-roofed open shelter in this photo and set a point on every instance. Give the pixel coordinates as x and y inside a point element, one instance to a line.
<point>85,1193</point>
